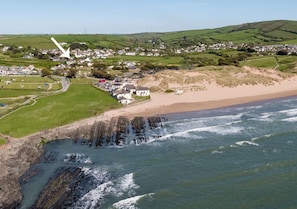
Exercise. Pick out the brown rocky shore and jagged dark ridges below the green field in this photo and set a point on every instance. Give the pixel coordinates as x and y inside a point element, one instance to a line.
<point>17,156</point>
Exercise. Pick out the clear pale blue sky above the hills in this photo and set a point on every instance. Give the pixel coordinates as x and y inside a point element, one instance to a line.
<point>135,16</point>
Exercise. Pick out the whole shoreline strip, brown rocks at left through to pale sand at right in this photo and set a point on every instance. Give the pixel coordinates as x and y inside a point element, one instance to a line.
<point>20,153</point>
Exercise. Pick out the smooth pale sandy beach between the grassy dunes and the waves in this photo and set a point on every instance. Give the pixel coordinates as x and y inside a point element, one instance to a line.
<point>214,97</point>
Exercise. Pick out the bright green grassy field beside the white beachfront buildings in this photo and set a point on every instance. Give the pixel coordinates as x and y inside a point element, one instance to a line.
<point>80,101</point>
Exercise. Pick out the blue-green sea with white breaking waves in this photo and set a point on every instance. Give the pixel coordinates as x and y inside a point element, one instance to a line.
<point>242,156</point>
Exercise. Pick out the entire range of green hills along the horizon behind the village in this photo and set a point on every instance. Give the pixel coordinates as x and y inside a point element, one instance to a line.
<point>268,32</point>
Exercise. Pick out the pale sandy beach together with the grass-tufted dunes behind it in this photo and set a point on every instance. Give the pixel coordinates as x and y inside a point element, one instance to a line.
<point>209,89</point>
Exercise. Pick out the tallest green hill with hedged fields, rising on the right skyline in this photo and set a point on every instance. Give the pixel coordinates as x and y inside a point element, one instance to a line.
<point>268,32</point>
